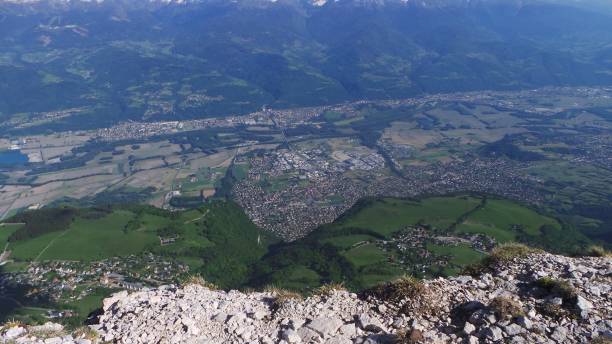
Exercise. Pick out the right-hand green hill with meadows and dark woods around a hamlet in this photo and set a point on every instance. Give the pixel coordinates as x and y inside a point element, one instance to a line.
<point>350,249</point>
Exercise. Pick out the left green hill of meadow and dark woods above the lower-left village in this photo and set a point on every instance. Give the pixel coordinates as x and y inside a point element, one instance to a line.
<point>218,233</point>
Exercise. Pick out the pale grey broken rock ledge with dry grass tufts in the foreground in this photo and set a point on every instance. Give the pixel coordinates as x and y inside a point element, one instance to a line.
<point>539,298</point>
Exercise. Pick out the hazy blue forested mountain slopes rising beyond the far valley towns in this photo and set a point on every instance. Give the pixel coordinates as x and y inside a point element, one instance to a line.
<point>113,60</point>
